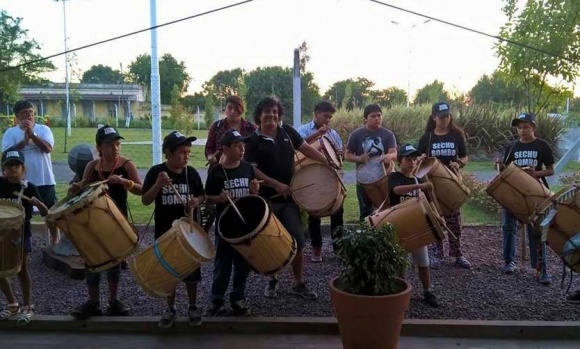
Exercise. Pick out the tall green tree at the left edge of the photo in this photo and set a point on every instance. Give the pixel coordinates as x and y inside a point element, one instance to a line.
<point>17,48</point>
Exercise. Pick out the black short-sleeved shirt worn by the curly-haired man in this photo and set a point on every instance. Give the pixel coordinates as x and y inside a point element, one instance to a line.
<point>274,157</point>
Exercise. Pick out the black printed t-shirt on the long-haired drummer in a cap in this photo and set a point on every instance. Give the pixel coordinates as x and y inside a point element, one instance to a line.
<point>446,148</point>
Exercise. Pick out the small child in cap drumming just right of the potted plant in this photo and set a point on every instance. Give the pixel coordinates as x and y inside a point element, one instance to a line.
<point>403,185</point>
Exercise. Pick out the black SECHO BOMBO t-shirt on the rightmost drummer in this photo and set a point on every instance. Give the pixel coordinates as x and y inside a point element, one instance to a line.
<point>536,154</point>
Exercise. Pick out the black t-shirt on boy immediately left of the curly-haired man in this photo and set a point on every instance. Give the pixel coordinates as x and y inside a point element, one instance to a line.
<point>235,180</point>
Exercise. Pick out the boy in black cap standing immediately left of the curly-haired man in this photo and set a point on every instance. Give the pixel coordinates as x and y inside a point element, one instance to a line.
<point>235,178</point>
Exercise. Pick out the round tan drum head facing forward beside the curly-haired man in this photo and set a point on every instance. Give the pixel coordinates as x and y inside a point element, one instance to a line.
<point>322,187</point>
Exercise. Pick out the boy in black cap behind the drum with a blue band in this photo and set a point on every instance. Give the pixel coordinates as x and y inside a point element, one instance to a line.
<point>159,185</point>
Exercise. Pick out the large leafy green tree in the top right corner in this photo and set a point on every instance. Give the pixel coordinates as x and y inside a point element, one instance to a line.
<point>551,26</point>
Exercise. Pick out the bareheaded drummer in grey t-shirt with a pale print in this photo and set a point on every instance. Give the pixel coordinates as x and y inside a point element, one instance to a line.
<point>369,142</point>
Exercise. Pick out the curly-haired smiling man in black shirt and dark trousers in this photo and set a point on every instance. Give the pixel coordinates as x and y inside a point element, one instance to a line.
<point>271,149</point>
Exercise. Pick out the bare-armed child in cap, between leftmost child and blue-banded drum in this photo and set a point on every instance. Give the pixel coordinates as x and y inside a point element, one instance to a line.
<point>122,177</point>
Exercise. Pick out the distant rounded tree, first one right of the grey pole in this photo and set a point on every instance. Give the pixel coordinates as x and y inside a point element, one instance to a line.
<point>360,92</point>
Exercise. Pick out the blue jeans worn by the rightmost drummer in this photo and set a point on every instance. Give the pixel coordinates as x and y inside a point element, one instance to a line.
<point>509,225</point>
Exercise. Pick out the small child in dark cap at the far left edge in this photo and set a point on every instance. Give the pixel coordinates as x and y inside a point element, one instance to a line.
<point>14,171</point>
